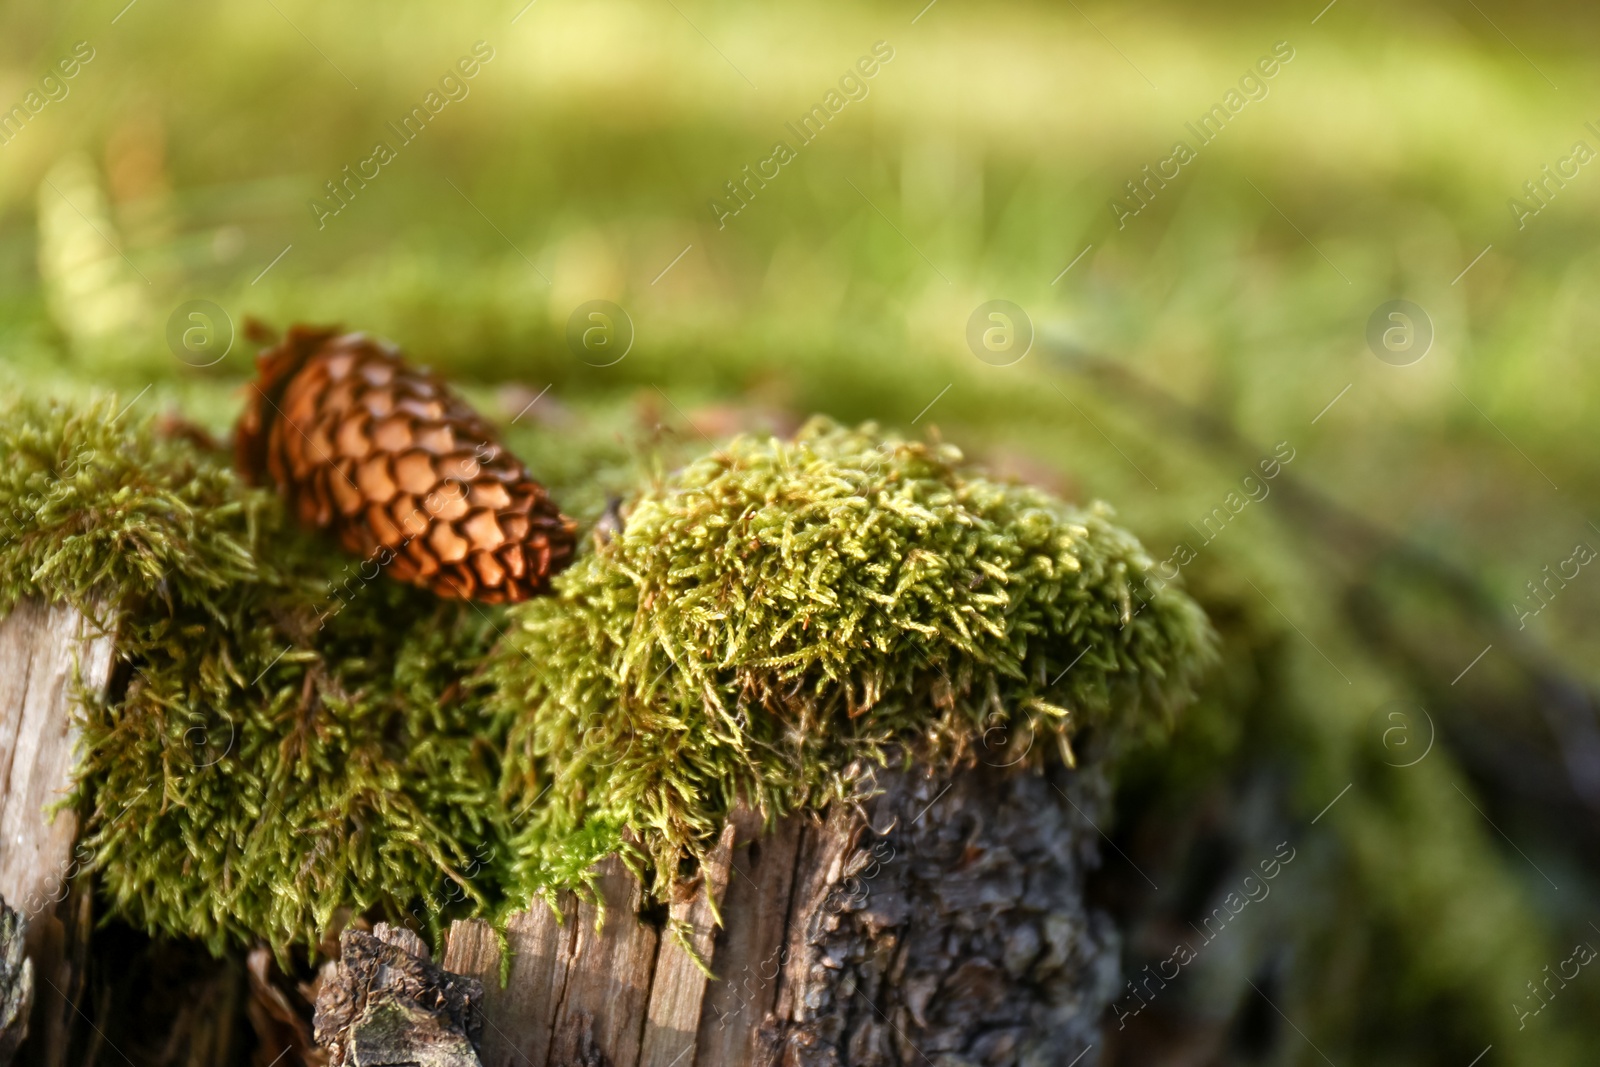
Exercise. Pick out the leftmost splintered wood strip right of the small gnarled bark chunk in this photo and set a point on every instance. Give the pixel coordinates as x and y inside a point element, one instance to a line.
<point>518,1017</point>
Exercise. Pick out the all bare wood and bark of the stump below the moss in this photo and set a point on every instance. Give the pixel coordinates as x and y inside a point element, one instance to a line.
<point>940,922</point>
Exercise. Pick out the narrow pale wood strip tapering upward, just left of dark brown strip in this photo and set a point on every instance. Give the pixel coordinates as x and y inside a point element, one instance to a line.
<point>679,985</point>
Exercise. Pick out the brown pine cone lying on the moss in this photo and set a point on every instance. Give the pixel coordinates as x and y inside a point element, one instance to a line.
<point>399,468</point>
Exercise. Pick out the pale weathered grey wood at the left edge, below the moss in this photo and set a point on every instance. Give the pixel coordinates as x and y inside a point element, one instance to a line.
<point>46,652</point>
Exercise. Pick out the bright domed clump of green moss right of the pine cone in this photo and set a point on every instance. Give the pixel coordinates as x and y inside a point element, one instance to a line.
<point>778,617</point>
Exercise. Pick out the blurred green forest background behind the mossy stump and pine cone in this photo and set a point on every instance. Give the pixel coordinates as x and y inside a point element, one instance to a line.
<point>1409,692</point>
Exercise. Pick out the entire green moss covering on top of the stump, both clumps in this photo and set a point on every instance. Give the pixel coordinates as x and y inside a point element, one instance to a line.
<point>289,740</point>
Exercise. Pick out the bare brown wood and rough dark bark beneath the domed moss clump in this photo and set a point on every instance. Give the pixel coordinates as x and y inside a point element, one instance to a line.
<point>942,922</point>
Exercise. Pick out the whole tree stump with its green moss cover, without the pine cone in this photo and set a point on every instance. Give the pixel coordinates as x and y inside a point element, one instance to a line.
<point>828,716</point>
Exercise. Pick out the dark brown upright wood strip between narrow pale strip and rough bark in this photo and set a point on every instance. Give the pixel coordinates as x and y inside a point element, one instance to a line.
<point>751,945</point>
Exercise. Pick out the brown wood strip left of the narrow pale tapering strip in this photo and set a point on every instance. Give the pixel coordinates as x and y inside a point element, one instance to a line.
<point>609,988</point>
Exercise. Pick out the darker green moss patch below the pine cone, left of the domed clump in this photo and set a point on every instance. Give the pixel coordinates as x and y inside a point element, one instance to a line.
<point>289,740</point>
